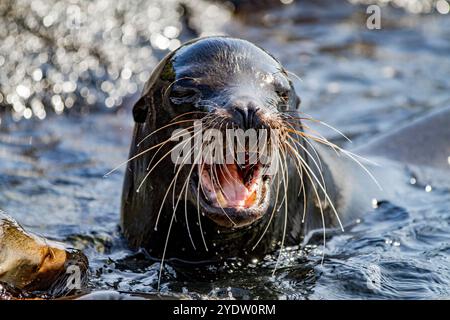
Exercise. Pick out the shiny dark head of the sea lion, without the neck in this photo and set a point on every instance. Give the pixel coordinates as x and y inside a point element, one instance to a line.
<point>223,84</point>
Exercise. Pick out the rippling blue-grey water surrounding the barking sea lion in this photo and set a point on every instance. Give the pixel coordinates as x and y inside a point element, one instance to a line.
<point>362,81</point>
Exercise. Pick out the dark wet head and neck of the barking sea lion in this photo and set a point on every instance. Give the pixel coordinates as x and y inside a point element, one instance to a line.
<point>244,87</point>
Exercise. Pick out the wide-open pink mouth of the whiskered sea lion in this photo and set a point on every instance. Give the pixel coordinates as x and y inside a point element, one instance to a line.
<point>232,195</point>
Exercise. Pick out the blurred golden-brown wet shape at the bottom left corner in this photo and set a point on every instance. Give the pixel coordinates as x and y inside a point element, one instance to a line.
<point>31,264</point>
